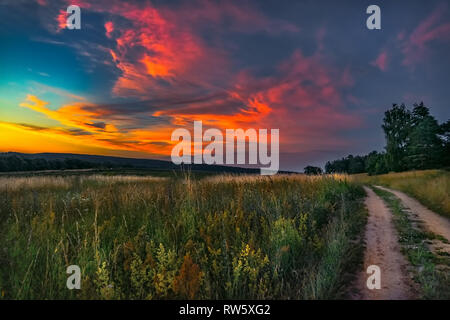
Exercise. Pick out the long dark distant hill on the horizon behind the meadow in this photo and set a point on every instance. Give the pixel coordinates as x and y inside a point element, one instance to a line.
<point>15,161</point>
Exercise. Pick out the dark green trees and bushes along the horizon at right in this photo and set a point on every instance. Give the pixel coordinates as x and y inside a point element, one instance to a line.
<point>414,141</point>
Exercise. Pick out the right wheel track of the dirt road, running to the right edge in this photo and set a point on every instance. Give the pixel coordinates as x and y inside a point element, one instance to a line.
<point>432,221</point>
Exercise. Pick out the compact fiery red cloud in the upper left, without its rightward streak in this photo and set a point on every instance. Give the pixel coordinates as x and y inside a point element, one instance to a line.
<point>155,49</point>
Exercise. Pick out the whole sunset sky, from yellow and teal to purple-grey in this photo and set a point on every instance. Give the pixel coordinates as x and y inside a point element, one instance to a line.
<point>137,70</point>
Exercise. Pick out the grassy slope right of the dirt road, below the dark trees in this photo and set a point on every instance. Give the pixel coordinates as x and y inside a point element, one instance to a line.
<point>430,187</point>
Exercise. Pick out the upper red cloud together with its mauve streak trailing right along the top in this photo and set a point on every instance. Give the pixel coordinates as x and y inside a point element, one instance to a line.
<point>160,45</point>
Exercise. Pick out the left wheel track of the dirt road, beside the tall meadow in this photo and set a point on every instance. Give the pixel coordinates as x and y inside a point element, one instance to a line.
<point>383,250</point>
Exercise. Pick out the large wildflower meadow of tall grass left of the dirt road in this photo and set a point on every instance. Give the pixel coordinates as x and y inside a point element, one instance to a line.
<point>141,237</point>
